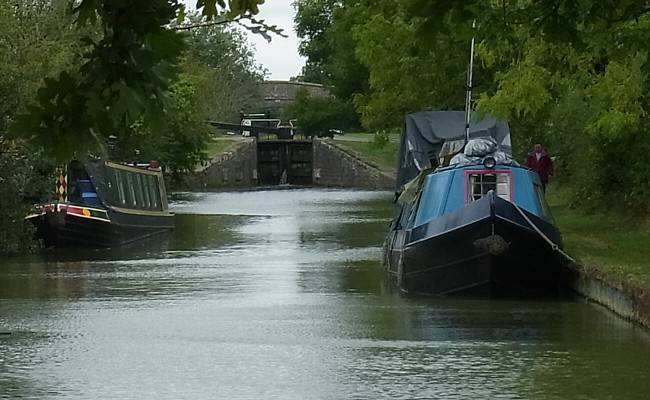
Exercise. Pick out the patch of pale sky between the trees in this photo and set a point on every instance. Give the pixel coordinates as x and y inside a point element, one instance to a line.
<point>280,56</point>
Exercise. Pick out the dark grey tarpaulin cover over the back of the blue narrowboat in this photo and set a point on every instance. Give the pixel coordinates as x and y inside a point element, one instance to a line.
<point>424,134</point>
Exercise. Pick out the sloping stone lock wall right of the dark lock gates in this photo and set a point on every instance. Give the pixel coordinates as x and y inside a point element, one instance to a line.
<point>333,166</point>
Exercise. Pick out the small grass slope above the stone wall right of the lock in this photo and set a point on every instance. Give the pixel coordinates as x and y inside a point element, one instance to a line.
<point>361,144</point>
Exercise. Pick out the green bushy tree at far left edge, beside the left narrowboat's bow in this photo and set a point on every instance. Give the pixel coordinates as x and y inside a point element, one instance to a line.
<point>34,44</point>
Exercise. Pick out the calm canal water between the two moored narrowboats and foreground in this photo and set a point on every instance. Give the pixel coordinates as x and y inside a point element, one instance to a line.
<point>281,295</point>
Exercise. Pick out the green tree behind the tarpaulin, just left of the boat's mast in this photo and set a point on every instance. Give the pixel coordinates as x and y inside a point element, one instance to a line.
<point>405,73</point>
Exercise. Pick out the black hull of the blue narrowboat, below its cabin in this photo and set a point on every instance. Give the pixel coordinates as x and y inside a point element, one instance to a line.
<point>484,246</point>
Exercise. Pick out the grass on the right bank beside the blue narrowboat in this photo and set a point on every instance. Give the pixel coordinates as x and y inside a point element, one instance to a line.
<point>606,242</point>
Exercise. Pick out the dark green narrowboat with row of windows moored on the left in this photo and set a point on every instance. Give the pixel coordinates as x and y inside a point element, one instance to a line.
<point>104,204</point>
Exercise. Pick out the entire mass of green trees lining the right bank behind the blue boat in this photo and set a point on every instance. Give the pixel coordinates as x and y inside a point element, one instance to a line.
<point>572,75</point>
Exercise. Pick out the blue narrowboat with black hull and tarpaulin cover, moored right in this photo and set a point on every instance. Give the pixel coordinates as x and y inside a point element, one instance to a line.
<point>467,216</point>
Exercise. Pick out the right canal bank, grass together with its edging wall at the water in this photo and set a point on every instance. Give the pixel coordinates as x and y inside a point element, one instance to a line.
<point>611,252</point>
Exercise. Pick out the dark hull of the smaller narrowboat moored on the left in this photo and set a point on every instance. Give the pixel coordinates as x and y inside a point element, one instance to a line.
<point>57,228</point>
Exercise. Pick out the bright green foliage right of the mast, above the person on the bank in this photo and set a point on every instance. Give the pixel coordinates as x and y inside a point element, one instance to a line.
<point>585,94</point>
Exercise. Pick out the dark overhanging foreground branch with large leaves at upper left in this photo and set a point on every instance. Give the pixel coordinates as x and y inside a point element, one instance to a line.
<point>124,76</point>
